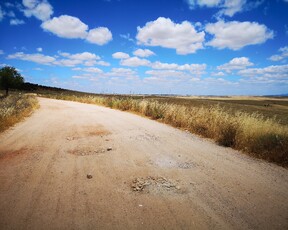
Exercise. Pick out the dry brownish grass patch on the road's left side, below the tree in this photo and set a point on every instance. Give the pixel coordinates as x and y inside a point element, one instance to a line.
<point>14,108</point>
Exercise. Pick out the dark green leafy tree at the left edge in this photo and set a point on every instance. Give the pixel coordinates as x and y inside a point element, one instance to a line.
<point>10,78</point>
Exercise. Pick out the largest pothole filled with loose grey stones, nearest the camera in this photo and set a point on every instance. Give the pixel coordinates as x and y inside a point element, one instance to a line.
<point>154,184</point>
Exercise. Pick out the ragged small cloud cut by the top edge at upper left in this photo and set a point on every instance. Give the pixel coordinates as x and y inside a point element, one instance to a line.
<point>39,9</point>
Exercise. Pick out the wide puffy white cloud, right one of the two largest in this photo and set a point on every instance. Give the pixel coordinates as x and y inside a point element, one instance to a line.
<point>236,35</point>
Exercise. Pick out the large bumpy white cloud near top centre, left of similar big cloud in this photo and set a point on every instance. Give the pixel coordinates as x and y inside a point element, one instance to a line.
<point>165,33</point>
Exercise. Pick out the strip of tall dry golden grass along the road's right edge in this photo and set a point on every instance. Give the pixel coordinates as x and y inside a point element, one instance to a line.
<point>259,136</point>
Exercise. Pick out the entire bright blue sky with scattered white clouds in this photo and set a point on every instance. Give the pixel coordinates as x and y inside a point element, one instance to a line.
<point>194,47</point>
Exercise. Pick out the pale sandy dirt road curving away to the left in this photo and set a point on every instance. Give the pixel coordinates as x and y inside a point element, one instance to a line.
<point>189,183</point>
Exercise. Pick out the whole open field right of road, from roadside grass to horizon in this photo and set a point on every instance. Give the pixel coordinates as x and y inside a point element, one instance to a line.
<point>255,125</point>
